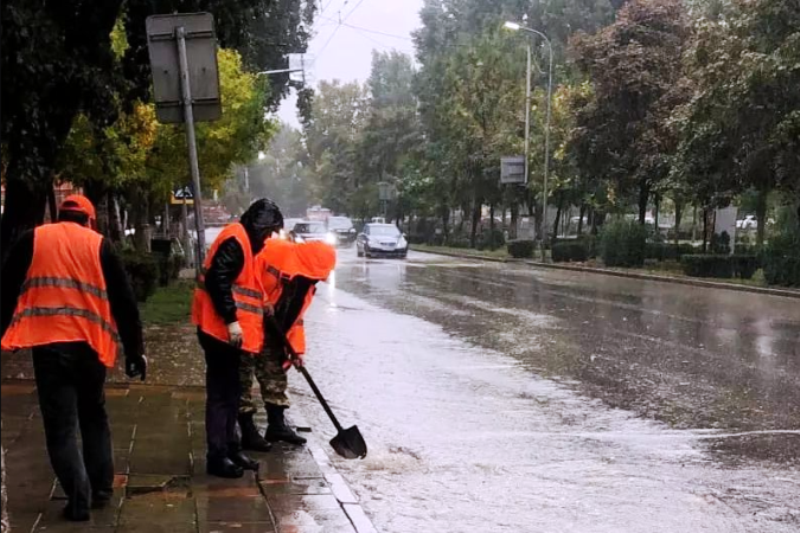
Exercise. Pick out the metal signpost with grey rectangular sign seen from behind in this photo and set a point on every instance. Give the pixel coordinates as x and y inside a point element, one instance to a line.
<point>183,60</point>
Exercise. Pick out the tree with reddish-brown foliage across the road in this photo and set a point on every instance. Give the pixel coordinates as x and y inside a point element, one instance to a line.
<point>635,68</point>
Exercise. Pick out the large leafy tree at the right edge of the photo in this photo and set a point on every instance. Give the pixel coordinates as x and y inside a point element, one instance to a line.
<point>742,128</point>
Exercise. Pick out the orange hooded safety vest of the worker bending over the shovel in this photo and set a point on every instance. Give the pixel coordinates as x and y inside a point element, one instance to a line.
<point>279,262</point>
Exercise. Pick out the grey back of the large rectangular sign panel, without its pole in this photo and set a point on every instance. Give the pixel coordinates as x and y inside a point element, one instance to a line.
<point>201,54</point>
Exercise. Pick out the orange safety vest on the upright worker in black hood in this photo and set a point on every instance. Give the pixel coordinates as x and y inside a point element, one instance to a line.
<point>247,293</point>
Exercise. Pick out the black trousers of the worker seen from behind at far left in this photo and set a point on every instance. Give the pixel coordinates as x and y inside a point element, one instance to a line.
<point>70,380</point>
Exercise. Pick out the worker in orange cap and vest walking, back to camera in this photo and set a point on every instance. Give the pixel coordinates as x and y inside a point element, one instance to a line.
<point>66,295</point>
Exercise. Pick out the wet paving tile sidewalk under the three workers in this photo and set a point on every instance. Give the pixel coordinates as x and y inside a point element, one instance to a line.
<point>161,486</point>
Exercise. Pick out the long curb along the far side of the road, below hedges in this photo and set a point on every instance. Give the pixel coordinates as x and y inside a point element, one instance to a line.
<point>786,293</point>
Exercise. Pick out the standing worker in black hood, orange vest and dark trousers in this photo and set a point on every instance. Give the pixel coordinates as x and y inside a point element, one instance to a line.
<point>228,312</point>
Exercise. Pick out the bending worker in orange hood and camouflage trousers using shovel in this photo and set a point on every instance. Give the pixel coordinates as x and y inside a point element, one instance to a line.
<point>289,273</point>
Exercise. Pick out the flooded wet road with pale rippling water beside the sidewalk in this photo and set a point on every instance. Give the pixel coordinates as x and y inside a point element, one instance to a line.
<point>498,398</point>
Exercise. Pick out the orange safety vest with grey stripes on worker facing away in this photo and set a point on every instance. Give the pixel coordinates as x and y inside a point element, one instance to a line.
<point>64,296</point>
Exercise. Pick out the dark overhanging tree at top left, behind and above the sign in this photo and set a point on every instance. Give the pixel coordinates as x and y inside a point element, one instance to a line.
<point>59,60</point>
